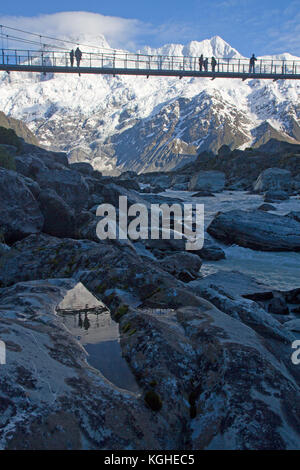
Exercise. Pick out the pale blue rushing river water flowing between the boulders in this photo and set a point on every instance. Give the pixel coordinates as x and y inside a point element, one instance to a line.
<point>279,270</point>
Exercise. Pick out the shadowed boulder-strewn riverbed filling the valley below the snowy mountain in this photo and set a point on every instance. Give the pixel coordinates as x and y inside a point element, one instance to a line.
<point>208,341</point>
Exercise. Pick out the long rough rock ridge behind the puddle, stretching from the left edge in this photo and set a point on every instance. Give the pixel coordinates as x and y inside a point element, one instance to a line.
<point>93,263</point>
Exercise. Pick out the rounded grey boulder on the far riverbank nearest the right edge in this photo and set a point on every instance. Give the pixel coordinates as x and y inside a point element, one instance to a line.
<point>273,179</point>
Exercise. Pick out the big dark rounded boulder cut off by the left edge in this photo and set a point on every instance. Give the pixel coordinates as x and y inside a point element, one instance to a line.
<point>19,212</point>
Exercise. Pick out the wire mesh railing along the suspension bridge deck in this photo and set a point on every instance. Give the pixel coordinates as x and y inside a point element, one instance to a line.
<point>120,60</point>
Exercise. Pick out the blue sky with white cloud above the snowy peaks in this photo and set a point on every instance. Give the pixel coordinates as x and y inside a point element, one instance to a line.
<point>260,26</point>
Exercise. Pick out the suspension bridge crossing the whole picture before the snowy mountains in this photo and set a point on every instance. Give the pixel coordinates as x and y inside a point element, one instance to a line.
<point>122,63</point>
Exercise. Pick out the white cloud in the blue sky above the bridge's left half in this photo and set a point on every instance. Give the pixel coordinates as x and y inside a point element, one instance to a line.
<point>119,32</point>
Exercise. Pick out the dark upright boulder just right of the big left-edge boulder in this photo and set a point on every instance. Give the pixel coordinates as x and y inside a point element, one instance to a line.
<point>59,219</point>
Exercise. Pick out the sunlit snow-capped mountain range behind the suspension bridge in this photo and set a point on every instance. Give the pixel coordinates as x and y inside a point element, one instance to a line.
<point>156,123</point>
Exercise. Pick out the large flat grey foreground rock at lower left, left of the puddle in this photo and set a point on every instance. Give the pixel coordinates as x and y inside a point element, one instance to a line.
<point>49,397</point>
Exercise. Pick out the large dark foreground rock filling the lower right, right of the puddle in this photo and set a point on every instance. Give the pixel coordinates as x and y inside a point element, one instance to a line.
<point>203,349</point>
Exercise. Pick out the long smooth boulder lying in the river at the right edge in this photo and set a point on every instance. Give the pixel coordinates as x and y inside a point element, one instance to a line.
<point>257,230</point>
